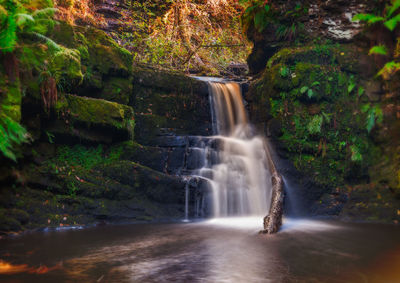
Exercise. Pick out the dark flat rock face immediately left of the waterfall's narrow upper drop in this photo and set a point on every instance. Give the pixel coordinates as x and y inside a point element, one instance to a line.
<point>169,104</point>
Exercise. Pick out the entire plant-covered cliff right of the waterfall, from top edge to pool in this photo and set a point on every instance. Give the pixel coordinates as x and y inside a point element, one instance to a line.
<point>333,121</point>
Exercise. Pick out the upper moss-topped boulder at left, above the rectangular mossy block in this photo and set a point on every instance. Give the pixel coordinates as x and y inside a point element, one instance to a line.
<point>106,66</point>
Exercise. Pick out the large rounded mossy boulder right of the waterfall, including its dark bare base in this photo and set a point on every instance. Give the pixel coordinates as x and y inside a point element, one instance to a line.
<point>311,102</point>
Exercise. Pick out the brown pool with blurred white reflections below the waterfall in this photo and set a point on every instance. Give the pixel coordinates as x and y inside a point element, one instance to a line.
<point>218,250</point>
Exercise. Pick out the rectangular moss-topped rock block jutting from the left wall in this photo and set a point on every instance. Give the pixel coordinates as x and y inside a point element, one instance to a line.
<point>90,118</point>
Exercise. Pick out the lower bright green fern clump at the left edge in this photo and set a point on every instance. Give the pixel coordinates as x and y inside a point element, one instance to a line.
<point>12,134</point>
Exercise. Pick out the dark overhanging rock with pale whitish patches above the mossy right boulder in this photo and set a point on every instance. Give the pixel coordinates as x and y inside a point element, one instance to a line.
<point>321,19</point>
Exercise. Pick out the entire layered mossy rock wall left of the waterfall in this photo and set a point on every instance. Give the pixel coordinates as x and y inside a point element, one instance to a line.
<point>111,145</point>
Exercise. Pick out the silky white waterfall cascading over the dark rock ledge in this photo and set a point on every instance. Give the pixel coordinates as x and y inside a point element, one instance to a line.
<point>236,162</point>
